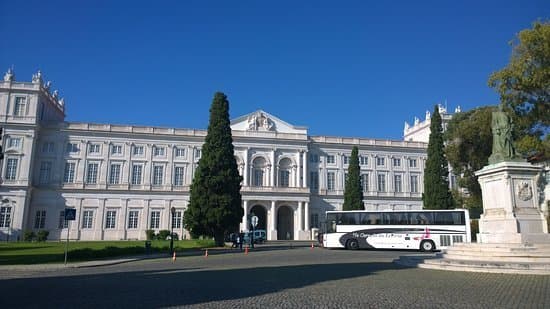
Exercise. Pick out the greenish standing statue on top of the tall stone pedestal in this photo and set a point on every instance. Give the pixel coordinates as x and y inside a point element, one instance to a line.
<point>503,148</point>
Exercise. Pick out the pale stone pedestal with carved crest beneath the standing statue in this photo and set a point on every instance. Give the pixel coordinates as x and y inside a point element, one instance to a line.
<point>511,213</point>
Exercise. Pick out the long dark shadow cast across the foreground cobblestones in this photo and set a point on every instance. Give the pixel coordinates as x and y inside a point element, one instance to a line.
<point>173,287</point>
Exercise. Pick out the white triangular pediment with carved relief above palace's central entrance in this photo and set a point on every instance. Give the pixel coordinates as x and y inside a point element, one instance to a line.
<point>263,122</point>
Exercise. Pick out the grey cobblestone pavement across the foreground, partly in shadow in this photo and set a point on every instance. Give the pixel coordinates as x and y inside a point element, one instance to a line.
<point>271,277</point>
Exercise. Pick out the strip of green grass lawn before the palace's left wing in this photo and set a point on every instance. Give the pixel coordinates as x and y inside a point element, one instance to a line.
<point>54,252</point>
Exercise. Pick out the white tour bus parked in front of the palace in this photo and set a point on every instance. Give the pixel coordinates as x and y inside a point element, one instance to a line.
<point>425,230</point>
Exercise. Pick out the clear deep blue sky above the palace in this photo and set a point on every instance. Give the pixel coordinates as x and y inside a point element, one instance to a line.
<point>346,68</point>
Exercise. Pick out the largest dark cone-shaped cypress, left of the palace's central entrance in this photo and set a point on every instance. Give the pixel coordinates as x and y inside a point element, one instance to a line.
<point>215,198</point>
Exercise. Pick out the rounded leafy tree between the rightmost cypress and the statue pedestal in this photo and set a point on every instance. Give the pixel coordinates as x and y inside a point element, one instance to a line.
<point>469,144</point>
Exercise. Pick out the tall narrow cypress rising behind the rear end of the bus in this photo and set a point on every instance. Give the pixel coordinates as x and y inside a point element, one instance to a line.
<point>436,174</point>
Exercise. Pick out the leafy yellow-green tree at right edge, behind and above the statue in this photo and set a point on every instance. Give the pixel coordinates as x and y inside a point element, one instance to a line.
<point>524,87</point>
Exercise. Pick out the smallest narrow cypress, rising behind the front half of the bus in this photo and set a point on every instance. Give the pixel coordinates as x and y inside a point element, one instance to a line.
<point>353,193</point>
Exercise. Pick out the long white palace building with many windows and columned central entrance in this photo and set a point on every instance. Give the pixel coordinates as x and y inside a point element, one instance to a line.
<point>125,179</point>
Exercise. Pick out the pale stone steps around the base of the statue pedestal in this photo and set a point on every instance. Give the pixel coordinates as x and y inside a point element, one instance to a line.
<point>495,258</point>
